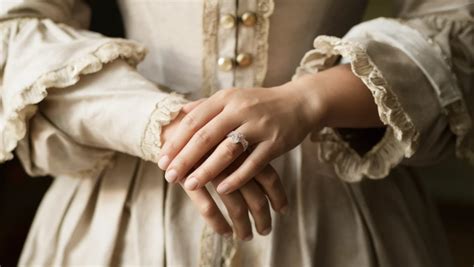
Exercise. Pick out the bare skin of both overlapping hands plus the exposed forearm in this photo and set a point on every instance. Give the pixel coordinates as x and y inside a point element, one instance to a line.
<point>274,120</point>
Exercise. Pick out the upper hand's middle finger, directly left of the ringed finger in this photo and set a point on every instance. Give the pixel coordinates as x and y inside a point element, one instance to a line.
<point>201,143</point>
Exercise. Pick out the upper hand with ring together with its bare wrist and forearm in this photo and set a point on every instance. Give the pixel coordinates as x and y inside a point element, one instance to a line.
<point>273,120</point>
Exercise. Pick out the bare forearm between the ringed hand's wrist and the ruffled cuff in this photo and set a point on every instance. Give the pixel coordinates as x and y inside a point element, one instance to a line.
<point>341,97</point>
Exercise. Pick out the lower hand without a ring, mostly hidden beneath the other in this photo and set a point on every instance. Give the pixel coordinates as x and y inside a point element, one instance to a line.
<point>254,197</point>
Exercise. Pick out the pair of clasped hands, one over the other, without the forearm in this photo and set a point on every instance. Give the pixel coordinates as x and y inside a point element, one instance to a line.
<point>197,152</point>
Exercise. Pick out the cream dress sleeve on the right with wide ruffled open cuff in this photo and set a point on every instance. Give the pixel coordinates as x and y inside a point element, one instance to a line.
<point>419,69</point>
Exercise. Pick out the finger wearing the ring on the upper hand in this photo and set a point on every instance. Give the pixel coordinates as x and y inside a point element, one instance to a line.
<point>225,153</point>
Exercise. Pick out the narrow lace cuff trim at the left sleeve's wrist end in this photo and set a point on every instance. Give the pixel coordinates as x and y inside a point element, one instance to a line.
<point>166,110</point>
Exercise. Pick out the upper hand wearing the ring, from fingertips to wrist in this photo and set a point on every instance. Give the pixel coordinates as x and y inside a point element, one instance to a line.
<point>273,121</point>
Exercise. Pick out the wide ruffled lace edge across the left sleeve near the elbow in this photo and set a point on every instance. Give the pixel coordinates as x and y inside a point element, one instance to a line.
<point>24,104</point>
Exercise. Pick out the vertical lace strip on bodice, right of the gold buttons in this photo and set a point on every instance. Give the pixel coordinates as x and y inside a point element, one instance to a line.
<point>265,10</point>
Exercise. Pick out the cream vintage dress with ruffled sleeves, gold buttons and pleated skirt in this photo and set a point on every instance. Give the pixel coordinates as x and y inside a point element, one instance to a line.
<point>74,105</point>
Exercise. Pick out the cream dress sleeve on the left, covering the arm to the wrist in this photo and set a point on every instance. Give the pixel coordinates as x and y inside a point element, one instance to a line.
<point>70,98</point>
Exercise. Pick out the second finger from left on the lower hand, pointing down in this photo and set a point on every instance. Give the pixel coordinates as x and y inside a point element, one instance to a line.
<point>238,213</point>
